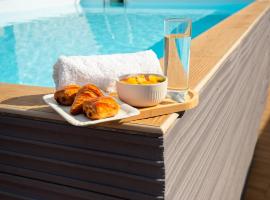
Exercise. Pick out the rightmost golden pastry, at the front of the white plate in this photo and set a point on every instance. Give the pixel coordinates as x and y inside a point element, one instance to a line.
<point>100,108</point>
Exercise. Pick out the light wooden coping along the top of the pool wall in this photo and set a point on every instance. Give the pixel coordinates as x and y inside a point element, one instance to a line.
<point>207,53</point>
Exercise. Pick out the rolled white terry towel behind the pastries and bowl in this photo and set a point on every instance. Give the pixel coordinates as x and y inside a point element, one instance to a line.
<point>103,70</point>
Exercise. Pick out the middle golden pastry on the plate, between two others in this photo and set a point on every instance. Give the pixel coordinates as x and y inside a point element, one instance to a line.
<point>87,92</point>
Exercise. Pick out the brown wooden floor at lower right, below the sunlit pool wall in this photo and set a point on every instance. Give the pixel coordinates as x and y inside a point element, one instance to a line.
<point>258,180</point>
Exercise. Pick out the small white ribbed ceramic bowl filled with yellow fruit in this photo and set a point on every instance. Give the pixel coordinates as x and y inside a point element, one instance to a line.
<point>142,95</point>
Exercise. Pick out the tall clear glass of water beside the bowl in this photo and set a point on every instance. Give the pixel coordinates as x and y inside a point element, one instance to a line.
<point>177,53</point>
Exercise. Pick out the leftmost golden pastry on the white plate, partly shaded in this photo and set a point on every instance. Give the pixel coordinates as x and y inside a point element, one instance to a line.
<point>66,95</point>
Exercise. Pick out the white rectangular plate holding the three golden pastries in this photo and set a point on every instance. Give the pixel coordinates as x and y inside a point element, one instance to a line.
<point>80,120</point>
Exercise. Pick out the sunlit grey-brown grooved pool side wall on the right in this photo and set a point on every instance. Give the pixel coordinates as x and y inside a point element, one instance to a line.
<point>208,151</point>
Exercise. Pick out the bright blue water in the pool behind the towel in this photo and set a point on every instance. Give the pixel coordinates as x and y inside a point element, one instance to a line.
<point>31,42</point>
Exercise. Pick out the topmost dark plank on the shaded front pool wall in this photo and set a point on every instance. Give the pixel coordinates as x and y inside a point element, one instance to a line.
<point>115,142</point>
